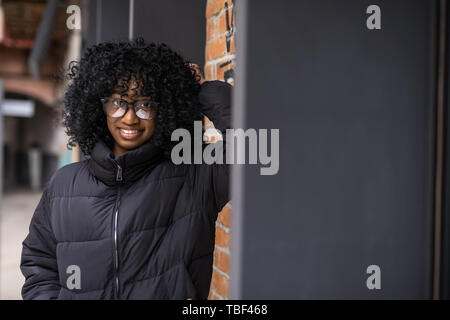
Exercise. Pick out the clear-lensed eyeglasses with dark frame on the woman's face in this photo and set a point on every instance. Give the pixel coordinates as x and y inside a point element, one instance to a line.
<point>117,108</point>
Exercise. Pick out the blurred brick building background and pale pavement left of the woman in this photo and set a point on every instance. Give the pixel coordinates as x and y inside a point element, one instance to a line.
<point>33,55</point>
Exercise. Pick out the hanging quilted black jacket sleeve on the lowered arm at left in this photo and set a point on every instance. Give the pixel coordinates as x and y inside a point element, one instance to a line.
<point>38,261</point>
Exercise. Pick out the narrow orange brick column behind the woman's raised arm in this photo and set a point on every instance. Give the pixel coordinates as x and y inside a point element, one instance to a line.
<point>220,57</point>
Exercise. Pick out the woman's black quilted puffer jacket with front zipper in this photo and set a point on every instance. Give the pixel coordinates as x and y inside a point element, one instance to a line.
<point>149,236</point>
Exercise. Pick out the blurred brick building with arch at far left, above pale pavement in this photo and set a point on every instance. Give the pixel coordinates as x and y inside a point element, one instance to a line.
<point>31,123</point>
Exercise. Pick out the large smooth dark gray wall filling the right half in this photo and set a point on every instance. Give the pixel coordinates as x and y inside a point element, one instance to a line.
<point>355,113</point>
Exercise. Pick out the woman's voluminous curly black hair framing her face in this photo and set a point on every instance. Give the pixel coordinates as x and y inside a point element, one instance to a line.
<point>165,76</point>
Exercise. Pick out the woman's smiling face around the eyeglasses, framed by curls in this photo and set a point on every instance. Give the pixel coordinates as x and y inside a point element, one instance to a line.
<point>129,131</point>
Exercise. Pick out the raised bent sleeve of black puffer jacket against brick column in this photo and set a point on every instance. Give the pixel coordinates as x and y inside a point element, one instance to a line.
<point>215,98</point>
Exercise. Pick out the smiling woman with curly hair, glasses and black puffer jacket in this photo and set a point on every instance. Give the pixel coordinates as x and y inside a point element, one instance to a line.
<point>127,223</point>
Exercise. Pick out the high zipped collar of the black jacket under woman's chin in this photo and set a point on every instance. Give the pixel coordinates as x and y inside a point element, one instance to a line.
<point>126,168</point>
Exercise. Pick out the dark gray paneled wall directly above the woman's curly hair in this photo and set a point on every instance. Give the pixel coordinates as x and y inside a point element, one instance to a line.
<point>180,24</point>
